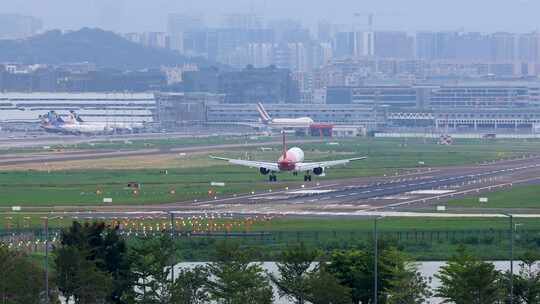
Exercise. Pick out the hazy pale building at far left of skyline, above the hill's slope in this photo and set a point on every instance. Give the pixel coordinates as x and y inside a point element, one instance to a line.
<point>13,26</point>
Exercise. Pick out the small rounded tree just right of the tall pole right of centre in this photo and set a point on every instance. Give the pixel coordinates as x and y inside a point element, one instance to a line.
<point>408,286</point>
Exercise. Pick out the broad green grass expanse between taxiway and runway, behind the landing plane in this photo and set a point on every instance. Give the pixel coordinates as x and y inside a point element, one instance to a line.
<point>386,156</point>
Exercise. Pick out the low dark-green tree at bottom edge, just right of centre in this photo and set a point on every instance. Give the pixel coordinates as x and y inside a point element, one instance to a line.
<point>324,288</point>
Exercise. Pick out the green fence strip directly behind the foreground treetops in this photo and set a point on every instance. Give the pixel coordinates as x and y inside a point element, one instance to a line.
<point>420,244</point>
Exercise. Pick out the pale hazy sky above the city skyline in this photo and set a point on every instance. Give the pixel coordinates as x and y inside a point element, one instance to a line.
<point>410,15</point>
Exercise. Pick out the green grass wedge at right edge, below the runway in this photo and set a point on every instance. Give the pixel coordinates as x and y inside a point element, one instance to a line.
<point>518,197</point>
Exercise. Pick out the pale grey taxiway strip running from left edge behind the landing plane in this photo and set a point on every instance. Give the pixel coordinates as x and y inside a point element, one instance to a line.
<point>15,159</point>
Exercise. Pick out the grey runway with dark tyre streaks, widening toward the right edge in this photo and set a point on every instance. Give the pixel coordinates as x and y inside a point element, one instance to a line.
<point>360,197</point>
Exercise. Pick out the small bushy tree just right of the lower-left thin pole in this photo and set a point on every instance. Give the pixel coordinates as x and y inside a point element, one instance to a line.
<point>189,287</point>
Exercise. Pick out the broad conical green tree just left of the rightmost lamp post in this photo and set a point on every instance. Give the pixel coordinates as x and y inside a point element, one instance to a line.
<point>467,280</point>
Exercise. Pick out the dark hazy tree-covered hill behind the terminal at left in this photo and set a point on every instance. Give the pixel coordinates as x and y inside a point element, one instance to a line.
<point>105,49</point>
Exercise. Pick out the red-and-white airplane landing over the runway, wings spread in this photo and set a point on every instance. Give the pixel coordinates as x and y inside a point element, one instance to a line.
<point>291,160</point>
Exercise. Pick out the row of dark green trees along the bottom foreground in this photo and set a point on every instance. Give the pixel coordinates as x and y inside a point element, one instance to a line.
<point>93,264</point>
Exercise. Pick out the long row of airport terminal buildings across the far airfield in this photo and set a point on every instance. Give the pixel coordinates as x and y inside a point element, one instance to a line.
<point>480,108</point>
